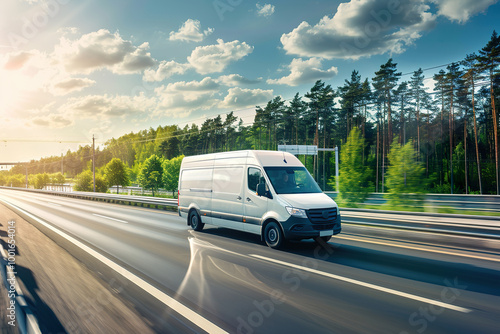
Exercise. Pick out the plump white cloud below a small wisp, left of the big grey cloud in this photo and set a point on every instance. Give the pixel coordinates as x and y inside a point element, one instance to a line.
<point>215,58</point>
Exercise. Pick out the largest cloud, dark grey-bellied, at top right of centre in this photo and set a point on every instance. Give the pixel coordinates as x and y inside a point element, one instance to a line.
<point>362,28</point>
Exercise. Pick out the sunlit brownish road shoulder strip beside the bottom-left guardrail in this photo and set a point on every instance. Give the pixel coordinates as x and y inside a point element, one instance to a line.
<point>63,293</point>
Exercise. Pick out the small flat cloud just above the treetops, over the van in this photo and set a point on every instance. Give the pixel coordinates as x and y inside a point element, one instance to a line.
<point>242,98</point>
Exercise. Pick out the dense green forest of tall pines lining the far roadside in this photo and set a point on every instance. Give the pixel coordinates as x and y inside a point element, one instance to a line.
<point>453,128</point>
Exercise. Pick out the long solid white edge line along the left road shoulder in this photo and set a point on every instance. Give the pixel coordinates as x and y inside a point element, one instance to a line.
<point>170,302</point>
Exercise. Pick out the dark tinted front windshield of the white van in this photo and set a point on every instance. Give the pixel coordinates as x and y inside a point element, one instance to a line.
<point>292,180</point>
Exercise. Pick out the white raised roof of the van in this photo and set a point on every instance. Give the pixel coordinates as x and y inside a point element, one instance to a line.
<point>263,158</point>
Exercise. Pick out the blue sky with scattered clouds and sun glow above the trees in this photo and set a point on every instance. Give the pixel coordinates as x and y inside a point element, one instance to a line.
<point>70,69</point>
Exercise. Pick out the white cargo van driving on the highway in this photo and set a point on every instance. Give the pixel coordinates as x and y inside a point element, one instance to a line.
<point>268,193</point>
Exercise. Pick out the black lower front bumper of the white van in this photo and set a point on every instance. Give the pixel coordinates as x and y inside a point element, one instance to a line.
<point>302,228</point>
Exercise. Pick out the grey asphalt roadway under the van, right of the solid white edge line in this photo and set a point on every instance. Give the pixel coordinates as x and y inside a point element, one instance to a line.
<point>354,285</point>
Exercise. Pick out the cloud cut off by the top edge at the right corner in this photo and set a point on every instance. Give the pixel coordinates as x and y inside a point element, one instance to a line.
<point>462,10</point>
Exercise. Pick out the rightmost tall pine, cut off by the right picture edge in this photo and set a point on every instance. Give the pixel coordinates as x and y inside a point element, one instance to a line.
<point>489,57</point>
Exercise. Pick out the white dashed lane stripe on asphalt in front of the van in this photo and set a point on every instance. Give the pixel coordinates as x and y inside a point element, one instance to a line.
<point>367,285</point>
